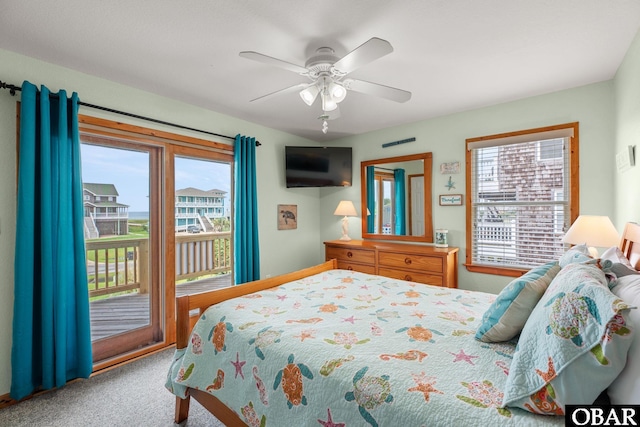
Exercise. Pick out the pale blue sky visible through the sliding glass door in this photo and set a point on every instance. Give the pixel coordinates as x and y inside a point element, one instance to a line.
<point>129,171</point>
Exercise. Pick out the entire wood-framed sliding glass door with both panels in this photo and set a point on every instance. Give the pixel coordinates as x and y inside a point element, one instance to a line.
<point>158,224</point>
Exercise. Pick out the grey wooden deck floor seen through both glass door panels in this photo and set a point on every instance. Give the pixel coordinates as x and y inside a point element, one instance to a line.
<point>119,314</point>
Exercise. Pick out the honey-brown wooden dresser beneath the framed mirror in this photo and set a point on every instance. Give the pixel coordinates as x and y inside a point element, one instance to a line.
<point>416,263</point>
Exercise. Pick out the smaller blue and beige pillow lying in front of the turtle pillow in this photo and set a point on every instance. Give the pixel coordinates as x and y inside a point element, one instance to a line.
<point>506,317</point>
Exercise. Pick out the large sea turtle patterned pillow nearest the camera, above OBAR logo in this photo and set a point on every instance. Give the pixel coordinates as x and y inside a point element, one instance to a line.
<point>573,346</point>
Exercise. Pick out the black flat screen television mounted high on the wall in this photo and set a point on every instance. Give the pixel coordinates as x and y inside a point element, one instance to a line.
<point>318,166</point>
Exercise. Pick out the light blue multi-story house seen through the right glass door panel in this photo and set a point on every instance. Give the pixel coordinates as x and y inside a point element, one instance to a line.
<point>199,207</point>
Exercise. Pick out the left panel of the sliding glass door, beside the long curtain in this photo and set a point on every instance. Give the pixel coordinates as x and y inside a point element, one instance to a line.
<point>121,222</point>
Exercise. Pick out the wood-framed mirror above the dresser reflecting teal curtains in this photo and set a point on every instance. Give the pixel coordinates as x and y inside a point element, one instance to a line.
<point>396,198</point>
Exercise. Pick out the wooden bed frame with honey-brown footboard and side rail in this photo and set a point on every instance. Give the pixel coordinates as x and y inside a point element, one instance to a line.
<point>630,246</point>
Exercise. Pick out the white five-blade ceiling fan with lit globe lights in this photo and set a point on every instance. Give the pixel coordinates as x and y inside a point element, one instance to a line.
<point>328,75</point>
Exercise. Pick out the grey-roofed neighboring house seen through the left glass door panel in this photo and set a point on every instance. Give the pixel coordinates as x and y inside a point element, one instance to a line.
<point>103,215</point>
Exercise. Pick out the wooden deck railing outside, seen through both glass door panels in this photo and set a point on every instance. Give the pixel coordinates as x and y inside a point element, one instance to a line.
<point>123,265</point>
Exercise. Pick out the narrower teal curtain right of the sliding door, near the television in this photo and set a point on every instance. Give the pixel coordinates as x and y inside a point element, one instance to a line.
<point>246,253</point>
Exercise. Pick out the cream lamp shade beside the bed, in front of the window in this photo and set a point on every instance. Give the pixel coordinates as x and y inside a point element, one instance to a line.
<point>592,230</point>
